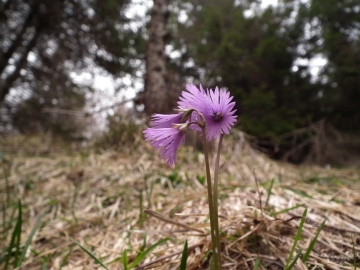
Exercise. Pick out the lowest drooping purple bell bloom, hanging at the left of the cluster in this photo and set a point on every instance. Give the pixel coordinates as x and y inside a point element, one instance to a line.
<point>167,140</point>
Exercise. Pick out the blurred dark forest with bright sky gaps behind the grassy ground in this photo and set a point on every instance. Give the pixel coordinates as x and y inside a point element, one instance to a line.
<point>75,70</point>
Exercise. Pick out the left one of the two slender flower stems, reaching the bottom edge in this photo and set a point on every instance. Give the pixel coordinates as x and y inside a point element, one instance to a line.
<point>213,212</point>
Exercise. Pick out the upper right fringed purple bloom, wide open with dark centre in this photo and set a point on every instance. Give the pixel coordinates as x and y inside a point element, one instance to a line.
<point>214,105</point>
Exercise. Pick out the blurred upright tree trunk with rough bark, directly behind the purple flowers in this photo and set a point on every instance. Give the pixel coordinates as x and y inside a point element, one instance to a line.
<point>156,92</point>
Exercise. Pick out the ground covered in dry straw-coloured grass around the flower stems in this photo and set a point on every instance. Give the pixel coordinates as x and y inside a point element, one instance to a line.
<point>112,201</point>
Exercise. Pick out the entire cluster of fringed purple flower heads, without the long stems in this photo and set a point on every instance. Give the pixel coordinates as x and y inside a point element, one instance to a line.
<point>167,131</point>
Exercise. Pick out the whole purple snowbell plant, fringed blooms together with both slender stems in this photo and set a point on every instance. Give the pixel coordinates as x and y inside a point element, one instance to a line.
<point>212,113</point>
